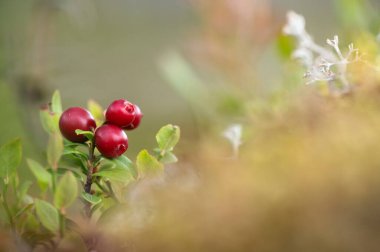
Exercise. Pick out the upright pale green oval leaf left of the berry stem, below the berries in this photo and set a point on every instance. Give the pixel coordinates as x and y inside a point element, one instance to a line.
<point>66,192</point>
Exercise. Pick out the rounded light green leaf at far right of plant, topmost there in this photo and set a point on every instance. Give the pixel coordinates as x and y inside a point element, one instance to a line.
<point>167,137</point>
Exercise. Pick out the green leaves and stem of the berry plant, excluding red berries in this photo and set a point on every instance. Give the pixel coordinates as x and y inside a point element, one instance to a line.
<point>40,220</point>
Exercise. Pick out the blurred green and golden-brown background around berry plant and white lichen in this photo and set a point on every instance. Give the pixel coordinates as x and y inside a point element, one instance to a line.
<point>307,178</point>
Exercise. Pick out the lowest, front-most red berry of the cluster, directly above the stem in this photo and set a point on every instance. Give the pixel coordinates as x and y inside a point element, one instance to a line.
<point>111,141</point>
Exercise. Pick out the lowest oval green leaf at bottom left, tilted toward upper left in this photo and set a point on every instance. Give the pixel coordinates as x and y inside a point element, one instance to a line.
<point>47,214</point>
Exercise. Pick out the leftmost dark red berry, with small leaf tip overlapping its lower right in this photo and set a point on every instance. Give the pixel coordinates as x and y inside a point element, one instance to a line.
<point>76,118</point>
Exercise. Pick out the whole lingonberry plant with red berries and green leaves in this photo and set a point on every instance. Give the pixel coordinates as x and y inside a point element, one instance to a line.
<point>85,148</point>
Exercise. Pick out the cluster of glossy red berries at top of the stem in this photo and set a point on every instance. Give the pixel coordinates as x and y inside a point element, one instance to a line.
<point>110,139</point>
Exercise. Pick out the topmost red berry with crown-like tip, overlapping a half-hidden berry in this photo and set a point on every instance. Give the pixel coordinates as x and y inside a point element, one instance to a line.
<point>120,113</point>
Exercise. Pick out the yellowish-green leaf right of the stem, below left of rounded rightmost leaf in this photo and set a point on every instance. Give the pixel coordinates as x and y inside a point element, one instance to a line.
<point>147,164</point>
